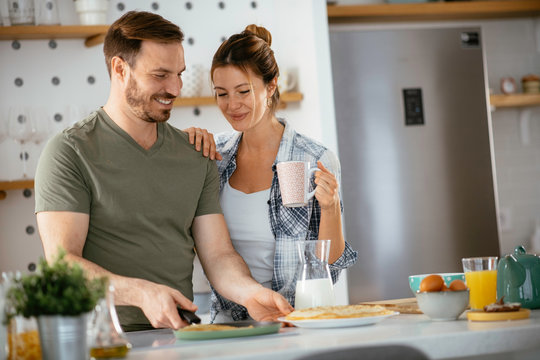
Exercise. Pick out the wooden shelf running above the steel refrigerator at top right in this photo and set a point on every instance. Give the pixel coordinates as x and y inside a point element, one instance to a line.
<point>458,10</point>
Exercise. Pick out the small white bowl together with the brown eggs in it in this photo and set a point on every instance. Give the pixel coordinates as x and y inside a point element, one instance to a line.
<point>440,301</point>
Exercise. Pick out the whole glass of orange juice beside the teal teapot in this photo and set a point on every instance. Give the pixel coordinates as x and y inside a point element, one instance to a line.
<point>481,278</point>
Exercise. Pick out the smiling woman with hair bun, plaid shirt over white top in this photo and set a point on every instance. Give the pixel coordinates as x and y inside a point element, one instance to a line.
<point>244,74</point>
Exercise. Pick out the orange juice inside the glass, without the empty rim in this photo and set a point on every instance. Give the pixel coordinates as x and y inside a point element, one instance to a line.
<point>482,287</point>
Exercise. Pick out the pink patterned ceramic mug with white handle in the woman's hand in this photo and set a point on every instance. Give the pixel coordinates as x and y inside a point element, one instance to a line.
<point>294,178</point>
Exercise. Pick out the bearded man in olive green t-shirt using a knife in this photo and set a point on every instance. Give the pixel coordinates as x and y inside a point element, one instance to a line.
<point>127,196</point>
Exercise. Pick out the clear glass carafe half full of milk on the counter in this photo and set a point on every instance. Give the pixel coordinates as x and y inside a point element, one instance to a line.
<point>314,284</point>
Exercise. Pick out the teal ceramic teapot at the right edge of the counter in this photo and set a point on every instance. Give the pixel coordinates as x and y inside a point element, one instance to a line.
<point>518,278</point>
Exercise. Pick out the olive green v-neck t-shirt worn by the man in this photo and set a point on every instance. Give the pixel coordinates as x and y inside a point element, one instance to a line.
<point>141,202</point>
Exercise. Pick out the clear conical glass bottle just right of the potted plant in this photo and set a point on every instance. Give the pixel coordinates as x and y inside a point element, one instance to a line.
<point>107,338</point>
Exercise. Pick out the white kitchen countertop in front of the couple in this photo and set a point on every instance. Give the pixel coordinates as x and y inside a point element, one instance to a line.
<point>437,339</point>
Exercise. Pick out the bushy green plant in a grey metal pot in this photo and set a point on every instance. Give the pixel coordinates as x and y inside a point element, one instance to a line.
<point>59,296</point>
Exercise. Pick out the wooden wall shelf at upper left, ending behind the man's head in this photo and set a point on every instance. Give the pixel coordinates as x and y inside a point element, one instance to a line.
<point>93,34</point>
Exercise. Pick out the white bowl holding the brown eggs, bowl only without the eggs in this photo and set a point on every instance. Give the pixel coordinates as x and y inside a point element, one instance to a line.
<point>443,305</point>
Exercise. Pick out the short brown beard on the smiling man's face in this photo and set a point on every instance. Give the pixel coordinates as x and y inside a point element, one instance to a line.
<point>141,106</point>
